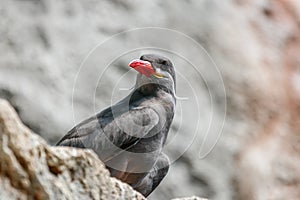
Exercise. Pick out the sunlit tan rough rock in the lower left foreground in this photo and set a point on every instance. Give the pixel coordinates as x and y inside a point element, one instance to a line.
<point>31,169</point>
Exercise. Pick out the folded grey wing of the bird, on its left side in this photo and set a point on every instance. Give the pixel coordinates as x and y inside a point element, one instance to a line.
<point>107,134</point>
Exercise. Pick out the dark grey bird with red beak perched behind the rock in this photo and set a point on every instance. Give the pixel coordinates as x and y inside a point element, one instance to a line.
<point>129,136</point>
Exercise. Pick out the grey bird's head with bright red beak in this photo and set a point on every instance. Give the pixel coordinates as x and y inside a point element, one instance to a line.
<point>155,72</point>
